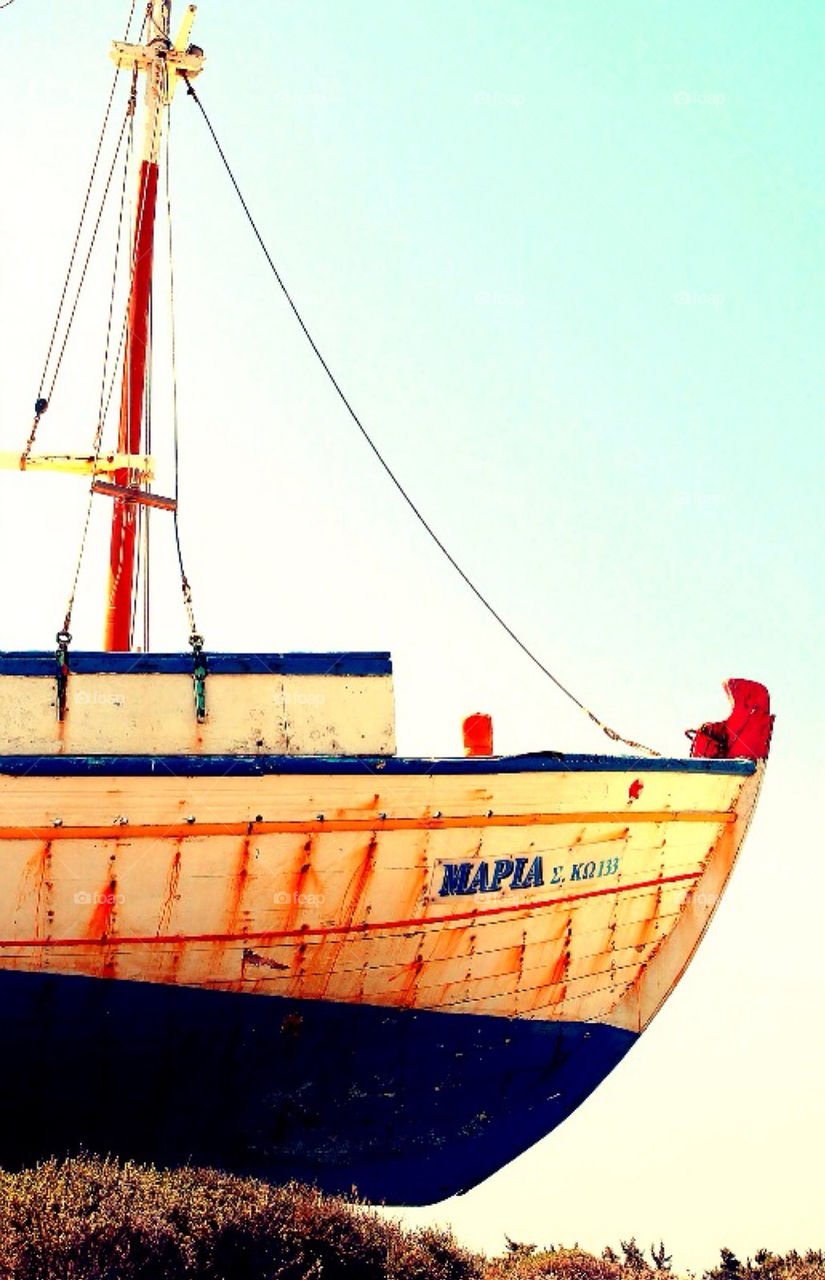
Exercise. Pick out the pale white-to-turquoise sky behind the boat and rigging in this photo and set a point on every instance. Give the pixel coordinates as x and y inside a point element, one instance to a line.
<point>566,260</point>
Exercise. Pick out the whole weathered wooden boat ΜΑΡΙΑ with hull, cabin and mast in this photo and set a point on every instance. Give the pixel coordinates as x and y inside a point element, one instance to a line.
<point>239,929</point>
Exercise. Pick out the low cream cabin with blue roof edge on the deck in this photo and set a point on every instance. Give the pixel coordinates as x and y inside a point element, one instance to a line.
<point>144,705</point>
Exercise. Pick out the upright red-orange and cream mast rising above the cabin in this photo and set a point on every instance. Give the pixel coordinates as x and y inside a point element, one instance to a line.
<point>162,62</point>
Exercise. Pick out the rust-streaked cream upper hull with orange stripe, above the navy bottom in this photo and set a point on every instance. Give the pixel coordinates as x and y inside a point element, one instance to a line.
<point>333,888</point>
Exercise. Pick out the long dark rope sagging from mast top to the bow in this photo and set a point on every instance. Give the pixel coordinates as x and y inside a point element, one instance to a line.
<point>612,734</point>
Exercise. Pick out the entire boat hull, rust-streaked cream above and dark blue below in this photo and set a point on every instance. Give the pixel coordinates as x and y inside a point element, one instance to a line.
<point>386,973</point>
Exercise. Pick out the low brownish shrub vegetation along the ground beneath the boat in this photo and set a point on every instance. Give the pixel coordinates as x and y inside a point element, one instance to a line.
<point>93,1219</point>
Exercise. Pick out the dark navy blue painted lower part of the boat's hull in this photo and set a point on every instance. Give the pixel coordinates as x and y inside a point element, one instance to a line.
<point>407,1107</point>
